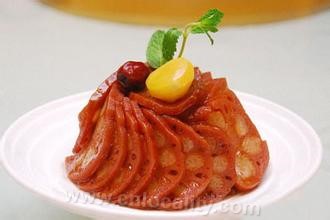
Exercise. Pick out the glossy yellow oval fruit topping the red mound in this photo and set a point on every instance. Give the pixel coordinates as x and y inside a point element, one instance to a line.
<point>172,80</point>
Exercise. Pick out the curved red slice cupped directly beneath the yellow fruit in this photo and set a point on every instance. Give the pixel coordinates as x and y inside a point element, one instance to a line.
<point>194,96</point>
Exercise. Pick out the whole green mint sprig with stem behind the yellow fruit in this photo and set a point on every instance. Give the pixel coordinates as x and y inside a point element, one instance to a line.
<point>163,44</point>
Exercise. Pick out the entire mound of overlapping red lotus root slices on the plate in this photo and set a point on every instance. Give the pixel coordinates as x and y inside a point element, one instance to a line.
<point>138,151</point>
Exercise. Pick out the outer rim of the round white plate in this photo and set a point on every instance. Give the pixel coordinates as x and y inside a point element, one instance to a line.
<point>77,208</point>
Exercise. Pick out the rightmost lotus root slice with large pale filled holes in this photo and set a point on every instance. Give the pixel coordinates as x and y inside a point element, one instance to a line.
<point>252,150</point>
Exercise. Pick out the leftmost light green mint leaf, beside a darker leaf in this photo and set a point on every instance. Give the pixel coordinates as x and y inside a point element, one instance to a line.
<point>154,53</point>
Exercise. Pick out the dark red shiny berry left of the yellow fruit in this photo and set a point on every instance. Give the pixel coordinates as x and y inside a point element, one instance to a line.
<point>132,75</point>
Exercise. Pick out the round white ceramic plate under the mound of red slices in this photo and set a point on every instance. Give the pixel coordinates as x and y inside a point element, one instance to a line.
<point>34,147</point>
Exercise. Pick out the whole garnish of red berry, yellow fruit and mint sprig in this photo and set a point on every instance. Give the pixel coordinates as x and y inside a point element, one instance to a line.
<point>171,78</point>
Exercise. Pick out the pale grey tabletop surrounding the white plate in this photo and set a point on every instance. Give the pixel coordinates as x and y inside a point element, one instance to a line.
<point>47,54</point>
